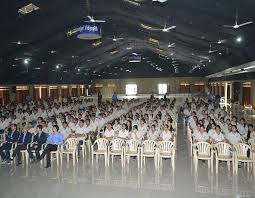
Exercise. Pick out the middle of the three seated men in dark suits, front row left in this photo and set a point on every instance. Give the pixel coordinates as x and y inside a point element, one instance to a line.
<point>24,139</point>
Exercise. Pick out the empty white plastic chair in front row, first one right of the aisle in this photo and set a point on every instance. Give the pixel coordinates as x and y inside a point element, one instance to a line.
<point>203,151</point>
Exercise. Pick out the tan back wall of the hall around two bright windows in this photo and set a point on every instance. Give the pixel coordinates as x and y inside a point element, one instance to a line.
<point>150,85</point>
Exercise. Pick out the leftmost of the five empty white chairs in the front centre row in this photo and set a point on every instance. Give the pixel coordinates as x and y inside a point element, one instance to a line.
<point>99,147</point>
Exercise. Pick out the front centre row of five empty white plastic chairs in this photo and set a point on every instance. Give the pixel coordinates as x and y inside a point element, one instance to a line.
<point>133,148</point>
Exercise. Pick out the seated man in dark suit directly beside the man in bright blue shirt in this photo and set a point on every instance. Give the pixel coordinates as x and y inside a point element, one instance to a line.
<point>39,139</point>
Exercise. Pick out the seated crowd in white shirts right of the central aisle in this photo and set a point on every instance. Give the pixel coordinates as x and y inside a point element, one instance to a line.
<point>211,123</point>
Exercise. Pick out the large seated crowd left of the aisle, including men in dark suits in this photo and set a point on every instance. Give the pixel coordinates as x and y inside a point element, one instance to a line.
<point>30,125</point>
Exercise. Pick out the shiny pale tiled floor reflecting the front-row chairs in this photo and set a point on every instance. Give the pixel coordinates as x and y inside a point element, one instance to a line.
<point>85,181</point>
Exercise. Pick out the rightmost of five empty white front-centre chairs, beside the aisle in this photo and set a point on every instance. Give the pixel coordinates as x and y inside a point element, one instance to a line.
<point>166,149</point>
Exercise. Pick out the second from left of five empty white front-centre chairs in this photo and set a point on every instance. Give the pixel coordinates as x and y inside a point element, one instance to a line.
<point>116,148</point>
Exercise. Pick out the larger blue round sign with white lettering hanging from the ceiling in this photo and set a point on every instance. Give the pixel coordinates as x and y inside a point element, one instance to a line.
<point>89,31</point>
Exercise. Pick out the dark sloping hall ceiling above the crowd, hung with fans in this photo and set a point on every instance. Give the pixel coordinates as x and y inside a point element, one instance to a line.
<point>199,25</point>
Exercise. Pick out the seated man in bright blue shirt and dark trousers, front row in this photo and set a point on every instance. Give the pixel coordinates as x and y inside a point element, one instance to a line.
<point>53,141</point>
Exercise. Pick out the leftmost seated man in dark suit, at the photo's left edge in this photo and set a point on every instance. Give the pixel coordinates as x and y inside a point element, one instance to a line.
<point>12,137</point>
